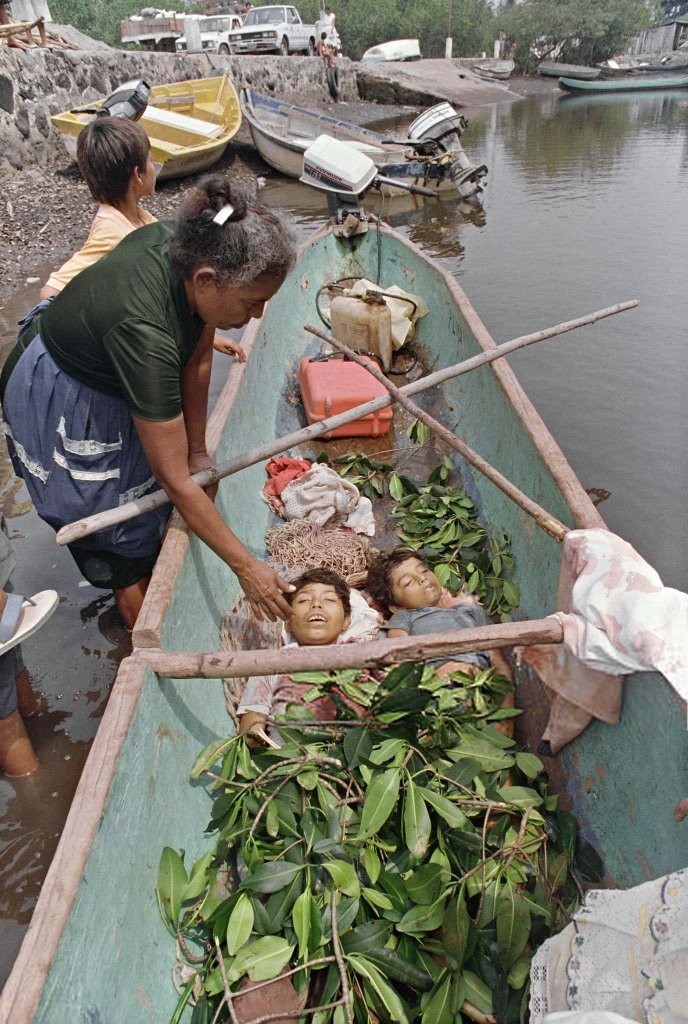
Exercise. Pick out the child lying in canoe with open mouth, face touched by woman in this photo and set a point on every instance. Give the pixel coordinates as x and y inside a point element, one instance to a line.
<point>322,614</point>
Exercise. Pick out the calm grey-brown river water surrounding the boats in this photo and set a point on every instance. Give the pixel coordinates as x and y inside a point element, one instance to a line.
<point>587,205</point>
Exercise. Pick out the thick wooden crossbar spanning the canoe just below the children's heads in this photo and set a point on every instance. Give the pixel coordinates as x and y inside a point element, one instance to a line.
<point>372,655</point>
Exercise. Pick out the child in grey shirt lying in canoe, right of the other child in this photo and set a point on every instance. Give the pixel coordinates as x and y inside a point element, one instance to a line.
<point>406,587</point>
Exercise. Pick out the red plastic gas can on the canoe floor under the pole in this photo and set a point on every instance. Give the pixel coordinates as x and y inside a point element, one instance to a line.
<point>332,387</point>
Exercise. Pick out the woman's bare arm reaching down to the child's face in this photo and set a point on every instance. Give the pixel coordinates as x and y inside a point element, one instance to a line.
<point>167,448</point>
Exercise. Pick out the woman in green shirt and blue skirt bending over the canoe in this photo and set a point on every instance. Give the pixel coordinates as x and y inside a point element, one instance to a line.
<point>110,400</point>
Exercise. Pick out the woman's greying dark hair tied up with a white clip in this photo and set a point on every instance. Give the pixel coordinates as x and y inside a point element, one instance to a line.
<point>245,243</point>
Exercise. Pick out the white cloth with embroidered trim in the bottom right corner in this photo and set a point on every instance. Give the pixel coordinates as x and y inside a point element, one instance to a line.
<point>625,952</point>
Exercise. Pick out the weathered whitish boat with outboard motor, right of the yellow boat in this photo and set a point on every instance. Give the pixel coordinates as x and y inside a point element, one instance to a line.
<point>282,133</point>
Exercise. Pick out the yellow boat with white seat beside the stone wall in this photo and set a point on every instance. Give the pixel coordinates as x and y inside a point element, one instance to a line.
<point>190,124</point>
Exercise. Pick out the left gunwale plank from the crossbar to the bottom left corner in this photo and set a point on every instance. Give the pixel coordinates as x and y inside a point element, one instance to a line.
<point>23,991</point>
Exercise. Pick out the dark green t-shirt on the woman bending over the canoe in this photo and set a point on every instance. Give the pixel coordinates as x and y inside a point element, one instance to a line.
<point>124,327</point>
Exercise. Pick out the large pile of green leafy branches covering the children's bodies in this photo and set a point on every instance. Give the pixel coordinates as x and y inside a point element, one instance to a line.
<point>398,870</point>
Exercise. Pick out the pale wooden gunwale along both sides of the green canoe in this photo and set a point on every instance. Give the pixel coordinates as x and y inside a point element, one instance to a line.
<point>26,984</point>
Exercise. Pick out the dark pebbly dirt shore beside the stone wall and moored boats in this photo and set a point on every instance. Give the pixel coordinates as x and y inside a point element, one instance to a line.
<point>46,212</point>
